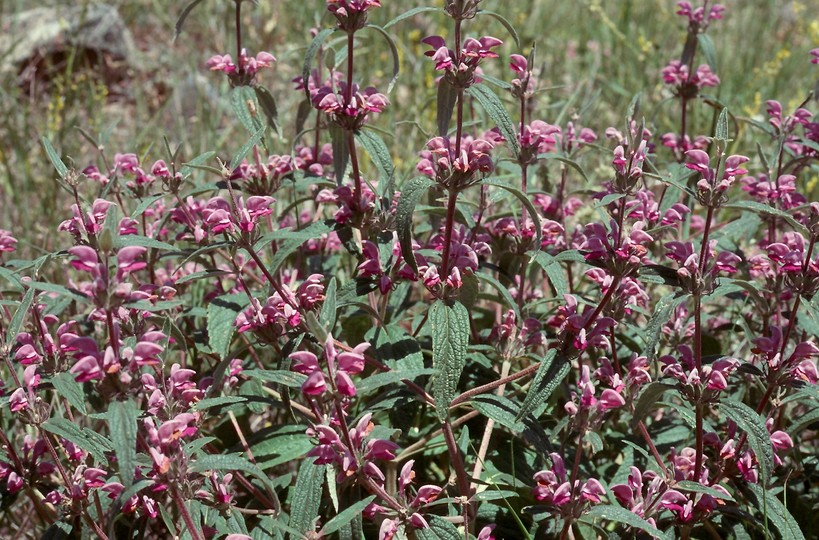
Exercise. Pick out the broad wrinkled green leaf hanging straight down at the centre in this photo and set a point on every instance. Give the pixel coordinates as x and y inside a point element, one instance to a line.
<point>450,338</point>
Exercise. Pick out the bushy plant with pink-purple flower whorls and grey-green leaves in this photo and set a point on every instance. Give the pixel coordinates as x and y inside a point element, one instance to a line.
<point>277,346</point>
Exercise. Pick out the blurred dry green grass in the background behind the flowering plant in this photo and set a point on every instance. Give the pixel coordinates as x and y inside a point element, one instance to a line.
<point>596,56</point>
